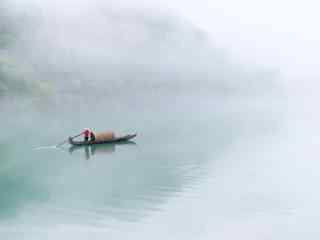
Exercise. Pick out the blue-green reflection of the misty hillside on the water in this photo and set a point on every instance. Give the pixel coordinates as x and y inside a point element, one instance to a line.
<point>124,183</point>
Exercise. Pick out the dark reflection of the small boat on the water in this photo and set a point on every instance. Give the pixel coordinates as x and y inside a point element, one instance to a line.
<point>98,149</point>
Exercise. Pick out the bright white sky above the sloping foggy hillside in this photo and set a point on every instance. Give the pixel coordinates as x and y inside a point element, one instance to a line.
<point>272,32</point>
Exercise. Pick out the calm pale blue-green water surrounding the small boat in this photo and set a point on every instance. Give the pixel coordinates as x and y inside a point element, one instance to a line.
<point>200,167</point>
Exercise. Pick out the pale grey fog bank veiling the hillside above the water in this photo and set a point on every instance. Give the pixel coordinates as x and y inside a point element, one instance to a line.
<point>102,47</point>
